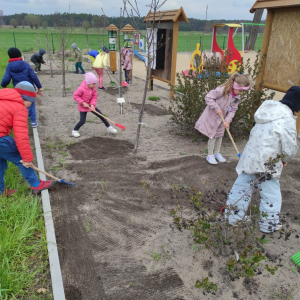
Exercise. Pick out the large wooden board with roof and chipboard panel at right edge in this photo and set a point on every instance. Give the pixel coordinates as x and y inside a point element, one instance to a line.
<point>281,43</point>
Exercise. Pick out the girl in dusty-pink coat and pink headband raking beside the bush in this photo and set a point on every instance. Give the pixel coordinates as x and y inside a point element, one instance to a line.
<point>223,100</point>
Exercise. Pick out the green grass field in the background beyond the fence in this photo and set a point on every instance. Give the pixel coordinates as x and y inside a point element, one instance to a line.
<point>26,39</point>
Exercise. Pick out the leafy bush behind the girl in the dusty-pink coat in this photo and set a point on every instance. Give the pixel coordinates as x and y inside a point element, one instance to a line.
<point>187,108</point>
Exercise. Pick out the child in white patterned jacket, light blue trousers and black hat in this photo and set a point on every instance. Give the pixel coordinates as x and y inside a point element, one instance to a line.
<point>273,134</point>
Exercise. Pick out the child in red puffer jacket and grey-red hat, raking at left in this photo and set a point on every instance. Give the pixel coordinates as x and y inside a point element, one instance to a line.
<point>14,115</point>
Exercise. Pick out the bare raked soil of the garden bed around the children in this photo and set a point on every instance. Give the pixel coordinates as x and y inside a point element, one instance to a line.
<point>115,236</point>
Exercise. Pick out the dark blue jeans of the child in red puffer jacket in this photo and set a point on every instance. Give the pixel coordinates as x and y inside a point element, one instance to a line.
<point>9,152</point>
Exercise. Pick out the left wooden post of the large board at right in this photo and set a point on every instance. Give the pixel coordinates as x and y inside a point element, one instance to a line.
<point>265,46</point>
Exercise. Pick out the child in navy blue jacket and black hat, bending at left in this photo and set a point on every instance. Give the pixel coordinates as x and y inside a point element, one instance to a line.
<point>18,70</point>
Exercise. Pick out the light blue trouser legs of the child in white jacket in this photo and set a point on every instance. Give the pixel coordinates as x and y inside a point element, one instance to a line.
<point>270,201</point>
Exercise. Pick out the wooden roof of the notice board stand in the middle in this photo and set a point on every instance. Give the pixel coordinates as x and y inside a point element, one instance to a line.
<point>167,16</point>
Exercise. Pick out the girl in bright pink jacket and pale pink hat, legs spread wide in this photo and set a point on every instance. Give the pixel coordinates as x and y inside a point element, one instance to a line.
<point>86,96</point>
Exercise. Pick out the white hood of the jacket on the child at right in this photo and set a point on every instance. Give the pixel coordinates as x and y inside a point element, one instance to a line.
<point>272,110</point>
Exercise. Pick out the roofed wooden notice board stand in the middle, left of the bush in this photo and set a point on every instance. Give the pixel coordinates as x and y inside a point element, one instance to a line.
<point>167,24</point>
